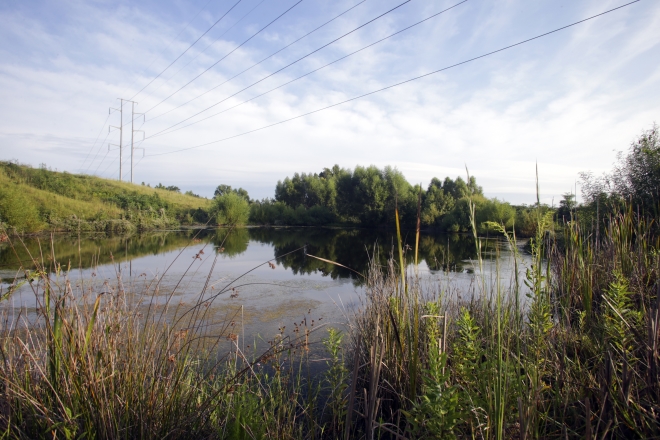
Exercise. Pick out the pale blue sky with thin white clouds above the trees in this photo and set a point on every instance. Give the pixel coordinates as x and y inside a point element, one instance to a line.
<point>564,103</point>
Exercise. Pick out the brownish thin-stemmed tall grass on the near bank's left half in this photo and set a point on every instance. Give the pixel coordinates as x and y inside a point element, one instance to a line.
<point>90,362</point>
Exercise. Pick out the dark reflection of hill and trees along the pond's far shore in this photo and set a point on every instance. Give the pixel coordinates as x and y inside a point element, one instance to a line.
<point>352,248</point>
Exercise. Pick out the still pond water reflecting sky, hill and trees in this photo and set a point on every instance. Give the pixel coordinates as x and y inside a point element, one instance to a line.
<point>293,288</point>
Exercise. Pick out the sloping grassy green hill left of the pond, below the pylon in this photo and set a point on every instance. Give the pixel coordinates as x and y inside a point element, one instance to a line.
<point>33,200</point>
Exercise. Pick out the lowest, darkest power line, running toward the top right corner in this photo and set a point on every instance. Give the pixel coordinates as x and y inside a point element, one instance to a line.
<point>402,82</point>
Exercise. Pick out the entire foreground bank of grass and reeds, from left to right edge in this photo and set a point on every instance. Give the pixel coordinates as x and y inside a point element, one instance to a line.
<point>571,349</point>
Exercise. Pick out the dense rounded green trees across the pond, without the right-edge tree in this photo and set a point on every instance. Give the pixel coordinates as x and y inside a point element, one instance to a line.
<point>367,197</point>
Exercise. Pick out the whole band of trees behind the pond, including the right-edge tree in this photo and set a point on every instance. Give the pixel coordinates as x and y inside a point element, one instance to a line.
<point>367,197</point>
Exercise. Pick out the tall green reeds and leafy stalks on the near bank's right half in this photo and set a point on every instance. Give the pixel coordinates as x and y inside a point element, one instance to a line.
<point>575,357</point>
